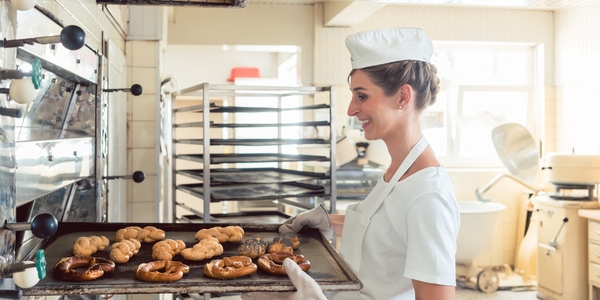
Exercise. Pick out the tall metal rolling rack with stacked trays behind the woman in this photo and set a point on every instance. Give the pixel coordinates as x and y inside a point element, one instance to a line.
<point>232,170</point>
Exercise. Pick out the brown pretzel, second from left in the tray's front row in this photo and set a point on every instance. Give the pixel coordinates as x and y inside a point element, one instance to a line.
<point>171,271</point>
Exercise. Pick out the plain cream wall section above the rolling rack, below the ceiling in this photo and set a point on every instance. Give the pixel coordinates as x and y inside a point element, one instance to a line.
<point>256,24</point>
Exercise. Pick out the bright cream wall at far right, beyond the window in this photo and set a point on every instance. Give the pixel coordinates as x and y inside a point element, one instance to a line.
<point>575,111</point>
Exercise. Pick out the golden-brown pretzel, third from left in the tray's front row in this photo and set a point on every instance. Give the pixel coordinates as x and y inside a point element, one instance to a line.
<point>230,267</point>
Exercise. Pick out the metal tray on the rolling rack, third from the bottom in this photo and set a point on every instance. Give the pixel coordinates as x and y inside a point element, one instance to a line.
<point>254,175</point>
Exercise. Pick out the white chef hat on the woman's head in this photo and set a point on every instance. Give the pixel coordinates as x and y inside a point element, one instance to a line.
<point>377,47</point>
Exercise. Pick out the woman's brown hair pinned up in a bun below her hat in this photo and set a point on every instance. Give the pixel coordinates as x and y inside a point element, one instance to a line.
<point>421,76</point>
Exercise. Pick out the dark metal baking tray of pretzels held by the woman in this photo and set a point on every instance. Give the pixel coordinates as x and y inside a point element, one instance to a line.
<point>327,267</point>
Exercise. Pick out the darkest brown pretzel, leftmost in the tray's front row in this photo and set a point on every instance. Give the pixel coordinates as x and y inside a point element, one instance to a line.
<point>65,268</point>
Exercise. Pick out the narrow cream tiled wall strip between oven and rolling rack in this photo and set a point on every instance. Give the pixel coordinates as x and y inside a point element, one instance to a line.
<point>142,64</point>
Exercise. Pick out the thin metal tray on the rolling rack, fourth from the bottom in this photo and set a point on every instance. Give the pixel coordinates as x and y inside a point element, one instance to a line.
<point>251,158</point>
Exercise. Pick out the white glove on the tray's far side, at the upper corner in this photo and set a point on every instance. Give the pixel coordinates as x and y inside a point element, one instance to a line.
<point>314,218</point>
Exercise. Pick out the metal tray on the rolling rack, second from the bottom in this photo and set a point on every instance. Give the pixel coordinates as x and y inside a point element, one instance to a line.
<point>254,191</point>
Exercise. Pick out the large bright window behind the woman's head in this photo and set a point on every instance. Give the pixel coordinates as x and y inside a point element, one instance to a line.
<point>482,87</point>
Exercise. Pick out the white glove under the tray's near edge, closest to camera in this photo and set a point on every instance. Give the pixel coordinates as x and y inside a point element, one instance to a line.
<point>306,287</point>
